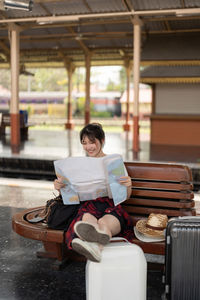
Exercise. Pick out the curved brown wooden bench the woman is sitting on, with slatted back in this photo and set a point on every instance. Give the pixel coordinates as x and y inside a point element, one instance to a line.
<point>156,187</point>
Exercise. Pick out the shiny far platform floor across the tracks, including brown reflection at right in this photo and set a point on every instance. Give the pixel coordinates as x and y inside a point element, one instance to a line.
<point>62,143</point>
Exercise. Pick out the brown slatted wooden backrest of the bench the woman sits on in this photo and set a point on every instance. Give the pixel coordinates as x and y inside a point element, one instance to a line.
<point>160,188</point>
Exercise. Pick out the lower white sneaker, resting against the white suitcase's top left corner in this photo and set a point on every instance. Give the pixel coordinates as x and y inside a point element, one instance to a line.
<point>90,250</point>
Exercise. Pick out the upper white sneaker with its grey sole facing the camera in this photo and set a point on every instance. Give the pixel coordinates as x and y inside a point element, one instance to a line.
<point>88,232</point>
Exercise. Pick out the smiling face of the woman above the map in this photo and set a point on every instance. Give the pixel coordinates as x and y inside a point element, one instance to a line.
<point>92,148</point>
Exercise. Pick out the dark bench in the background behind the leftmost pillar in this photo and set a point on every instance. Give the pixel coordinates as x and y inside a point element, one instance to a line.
<point>6,122</point>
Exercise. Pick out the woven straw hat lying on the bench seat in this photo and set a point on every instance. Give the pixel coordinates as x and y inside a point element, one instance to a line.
<point>153,226</point>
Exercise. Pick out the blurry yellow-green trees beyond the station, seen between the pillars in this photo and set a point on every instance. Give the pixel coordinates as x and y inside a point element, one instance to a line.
<point>56,79</point>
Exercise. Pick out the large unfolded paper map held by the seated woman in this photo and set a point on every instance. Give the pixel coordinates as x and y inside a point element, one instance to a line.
<point>88,178</point>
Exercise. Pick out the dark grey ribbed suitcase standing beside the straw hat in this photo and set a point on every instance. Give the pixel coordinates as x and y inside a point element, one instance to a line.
<point>182,259</point>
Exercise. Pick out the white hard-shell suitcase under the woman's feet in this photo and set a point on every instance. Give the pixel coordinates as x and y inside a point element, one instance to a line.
<point>121,274</point>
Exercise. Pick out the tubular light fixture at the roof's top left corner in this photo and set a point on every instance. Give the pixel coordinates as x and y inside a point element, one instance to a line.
<point>11,4</point>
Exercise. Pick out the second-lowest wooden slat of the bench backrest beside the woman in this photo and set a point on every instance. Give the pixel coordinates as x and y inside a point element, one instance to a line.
<point>161,203</point>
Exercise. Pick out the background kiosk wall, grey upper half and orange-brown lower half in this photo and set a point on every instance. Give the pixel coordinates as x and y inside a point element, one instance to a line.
<point>176,117</point>
